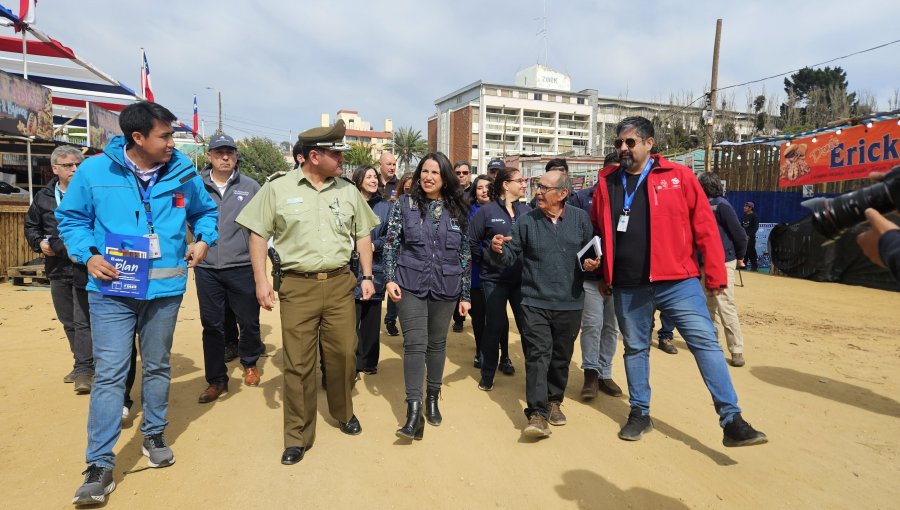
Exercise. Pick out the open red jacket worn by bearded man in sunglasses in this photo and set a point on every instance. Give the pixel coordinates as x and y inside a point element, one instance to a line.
<point>680,219</point>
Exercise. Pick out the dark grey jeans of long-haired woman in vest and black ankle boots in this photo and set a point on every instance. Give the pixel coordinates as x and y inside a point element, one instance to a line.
<point>424,323</point>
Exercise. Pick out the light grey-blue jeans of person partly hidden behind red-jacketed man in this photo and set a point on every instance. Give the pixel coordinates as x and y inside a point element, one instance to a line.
<point>599,331</point>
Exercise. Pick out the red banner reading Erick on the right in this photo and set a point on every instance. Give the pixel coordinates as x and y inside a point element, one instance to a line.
<point>852,153</point>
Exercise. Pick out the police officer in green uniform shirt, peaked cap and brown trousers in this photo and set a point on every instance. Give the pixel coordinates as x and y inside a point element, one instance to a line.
<point>315,217</point>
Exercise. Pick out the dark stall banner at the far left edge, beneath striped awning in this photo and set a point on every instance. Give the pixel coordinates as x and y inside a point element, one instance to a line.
<point>26,108</point>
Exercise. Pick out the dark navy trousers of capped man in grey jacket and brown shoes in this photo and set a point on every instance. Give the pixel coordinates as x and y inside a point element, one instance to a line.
<point>214,287</point>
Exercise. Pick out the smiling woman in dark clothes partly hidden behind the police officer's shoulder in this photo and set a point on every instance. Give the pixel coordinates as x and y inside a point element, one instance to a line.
<point>368,313</point>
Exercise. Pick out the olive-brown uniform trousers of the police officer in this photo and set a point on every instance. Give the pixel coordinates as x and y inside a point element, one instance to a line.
<point>314,311</point>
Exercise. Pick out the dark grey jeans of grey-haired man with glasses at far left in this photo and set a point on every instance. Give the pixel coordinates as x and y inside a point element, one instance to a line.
<point>72,310</point>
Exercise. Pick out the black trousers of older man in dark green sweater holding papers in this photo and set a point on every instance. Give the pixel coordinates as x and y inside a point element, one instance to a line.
<point>550,339</point>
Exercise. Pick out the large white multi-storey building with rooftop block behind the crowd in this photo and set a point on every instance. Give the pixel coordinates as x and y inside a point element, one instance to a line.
<point>541,116</point>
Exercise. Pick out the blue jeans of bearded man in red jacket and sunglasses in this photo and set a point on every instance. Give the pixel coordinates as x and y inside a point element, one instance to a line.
<point>683,302</point>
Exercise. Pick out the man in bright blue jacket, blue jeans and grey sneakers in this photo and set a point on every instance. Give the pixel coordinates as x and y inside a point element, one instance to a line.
<point>139,186</point>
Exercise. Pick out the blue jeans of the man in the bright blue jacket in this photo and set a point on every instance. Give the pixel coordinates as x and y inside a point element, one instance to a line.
<point>113,322</point>
